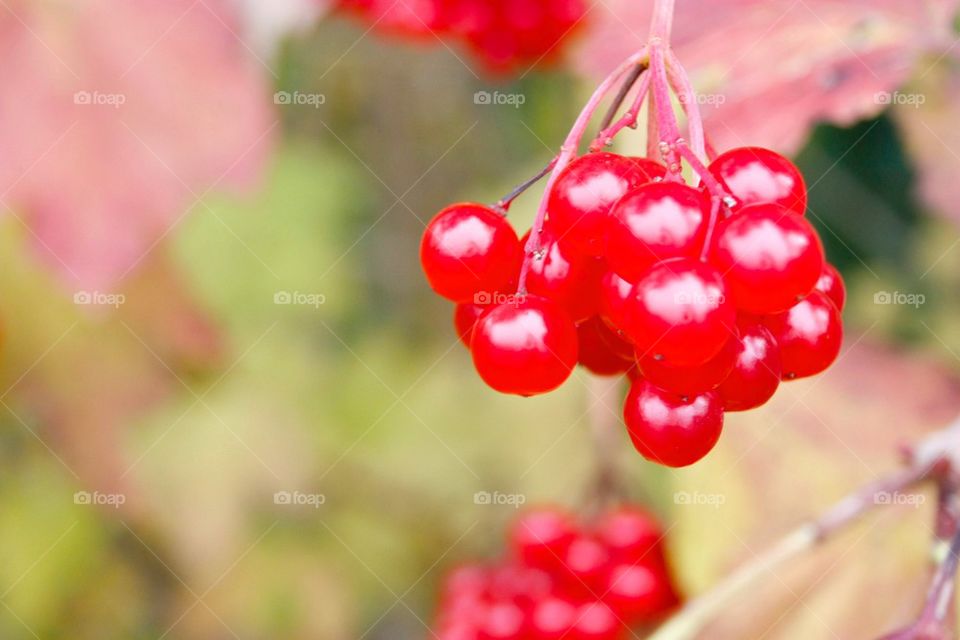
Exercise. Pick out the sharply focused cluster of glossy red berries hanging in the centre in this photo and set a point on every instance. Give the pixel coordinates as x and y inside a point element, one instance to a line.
<point>635,274</point>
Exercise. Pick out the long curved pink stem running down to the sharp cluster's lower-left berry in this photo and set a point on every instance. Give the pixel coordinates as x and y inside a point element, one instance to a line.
<point>567,152</point>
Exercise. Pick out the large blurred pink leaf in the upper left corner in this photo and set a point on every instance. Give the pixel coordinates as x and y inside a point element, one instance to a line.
<point>116,116</point>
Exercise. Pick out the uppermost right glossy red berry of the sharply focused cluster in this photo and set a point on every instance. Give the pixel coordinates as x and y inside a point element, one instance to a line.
<point>753,175</point>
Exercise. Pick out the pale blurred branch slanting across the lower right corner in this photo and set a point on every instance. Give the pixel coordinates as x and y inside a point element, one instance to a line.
<point>936,457</point>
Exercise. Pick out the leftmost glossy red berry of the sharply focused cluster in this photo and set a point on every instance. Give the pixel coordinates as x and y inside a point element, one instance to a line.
<point>469,249</point>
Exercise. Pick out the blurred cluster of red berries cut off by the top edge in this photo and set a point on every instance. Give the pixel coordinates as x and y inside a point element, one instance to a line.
<point>503,34</point>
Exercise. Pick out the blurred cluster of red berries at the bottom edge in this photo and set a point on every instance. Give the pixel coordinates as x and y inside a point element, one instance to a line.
<point>561,580</point>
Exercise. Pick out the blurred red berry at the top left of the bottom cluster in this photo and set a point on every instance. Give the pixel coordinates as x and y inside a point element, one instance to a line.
<point>541,537</point>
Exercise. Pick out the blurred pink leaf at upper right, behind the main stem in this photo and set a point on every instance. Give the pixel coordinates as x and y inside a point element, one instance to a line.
<point>768,70</point>
